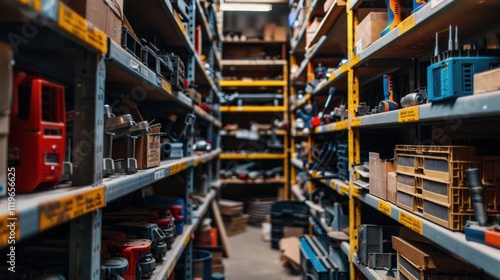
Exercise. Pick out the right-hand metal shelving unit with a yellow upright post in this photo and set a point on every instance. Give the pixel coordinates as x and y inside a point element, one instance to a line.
<point>392,53</point>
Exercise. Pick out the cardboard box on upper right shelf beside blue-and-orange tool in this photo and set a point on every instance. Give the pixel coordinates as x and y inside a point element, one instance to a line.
<point>368,30</point>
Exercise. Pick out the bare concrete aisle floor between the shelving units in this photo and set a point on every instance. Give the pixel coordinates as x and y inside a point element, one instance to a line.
<point>253,259</point>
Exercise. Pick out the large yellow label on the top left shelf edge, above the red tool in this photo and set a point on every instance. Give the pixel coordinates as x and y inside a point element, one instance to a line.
<point>76,25</point>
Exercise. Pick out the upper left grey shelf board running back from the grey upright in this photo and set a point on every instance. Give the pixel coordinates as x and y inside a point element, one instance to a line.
<point>127,71</point>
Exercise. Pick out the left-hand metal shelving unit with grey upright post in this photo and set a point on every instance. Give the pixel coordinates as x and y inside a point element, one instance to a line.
<point>99,62</point>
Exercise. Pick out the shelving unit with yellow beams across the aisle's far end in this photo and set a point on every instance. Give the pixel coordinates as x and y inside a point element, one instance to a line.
<point>239,62</point>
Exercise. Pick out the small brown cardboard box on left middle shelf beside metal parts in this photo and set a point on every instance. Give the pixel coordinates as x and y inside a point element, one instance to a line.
<point>147,149</point>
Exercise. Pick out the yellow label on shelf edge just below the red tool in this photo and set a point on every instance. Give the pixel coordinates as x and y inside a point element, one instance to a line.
<point>67,208</point>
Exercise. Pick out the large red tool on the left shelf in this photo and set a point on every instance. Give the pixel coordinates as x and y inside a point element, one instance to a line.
<point>37,139</point>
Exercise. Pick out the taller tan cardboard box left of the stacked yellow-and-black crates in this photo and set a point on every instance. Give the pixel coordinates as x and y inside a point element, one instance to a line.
<point>378,175</point>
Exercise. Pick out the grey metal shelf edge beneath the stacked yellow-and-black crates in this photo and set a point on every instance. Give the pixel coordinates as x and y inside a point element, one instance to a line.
<point>479,255</point>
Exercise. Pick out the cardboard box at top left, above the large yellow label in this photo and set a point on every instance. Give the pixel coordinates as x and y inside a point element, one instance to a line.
<point>106,15</point>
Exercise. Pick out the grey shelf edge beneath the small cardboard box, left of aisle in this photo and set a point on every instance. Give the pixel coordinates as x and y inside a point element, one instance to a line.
<point>120,185</point>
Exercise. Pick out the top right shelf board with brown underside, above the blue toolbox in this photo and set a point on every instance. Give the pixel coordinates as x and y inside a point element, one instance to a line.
<point>415,36</point>
